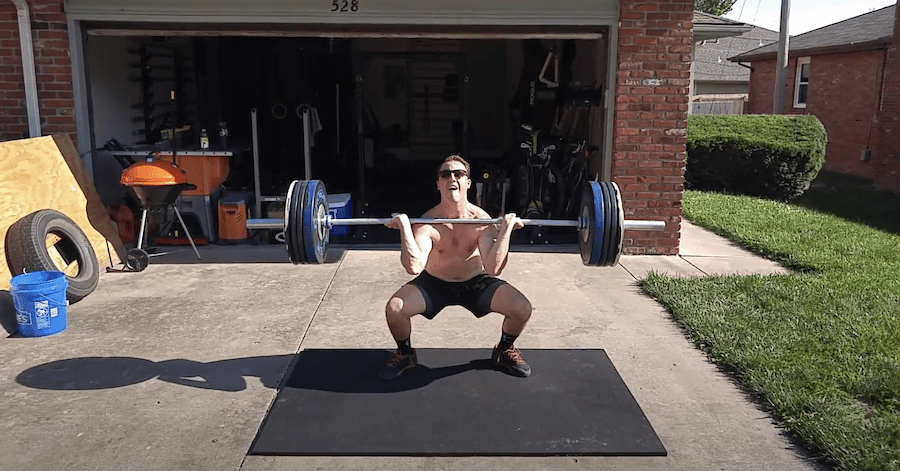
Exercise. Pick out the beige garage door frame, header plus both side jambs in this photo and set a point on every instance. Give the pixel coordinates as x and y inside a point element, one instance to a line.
<point>436,19</point>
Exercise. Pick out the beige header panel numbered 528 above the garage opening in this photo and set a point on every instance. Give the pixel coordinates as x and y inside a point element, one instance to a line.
<point>347,12</point>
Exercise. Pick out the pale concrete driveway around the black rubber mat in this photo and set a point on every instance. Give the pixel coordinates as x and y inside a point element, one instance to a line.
<point>175,367</point>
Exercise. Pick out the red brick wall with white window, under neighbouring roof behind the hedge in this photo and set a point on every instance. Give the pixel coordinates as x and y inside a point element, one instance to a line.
<point>843,94</point>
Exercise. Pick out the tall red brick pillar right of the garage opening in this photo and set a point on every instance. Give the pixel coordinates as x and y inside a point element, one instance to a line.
<point>652,89</point>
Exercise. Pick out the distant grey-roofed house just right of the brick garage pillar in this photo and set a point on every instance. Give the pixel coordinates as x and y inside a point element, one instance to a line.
<point>722,86</point>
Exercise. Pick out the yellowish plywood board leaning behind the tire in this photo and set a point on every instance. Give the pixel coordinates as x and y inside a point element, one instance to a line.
<point>47,173</point>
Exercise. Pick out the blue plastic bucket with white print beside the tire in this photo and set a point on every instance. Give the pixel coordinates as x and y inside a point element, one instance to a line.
<point>40,302</point>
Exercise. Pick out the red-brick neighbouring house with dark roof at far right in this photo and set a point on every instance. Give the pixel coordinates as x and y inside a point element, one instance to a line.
<point>848,75</point>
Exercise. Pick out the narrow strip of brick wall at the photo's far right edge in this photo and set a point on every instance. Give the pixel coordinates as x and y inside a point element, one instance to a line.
<point>886,155</point>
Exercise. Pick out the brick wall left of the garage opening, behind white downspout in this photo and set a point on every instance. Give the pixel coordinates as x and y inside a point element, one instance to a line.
<point>52,67</point>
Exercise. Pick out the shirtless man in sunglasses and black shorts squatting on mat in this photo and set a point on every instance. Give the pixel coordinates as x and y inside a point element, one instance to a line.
<point>456,264</point>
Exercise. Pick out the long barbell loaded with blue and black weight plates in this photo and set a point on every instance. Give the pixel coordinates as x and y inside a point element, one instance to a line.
<point>600,224</point>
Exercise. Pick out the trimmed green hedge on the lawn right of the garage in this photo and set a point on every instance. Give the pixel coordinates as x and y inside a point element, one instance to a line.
<point>771,156</point>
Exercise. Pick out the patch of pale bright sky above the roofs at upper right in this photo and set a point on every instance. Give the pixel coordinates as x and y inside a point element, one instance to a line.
<point>805,15</point>
